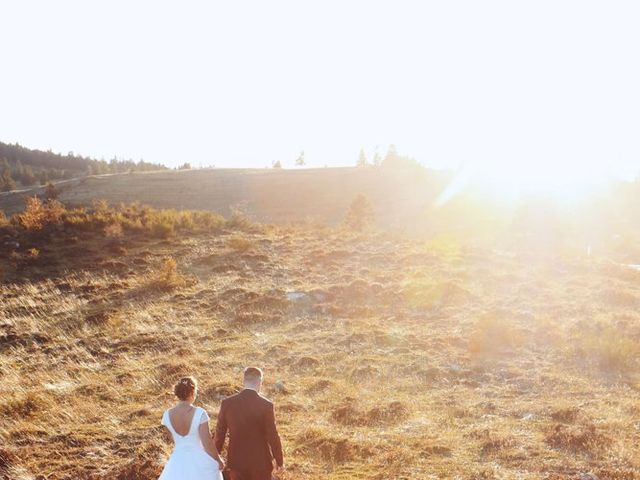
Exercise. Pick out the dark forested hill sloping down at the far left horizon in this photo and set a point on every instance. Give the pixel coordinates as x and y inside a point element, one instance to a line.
<point>24,167</point>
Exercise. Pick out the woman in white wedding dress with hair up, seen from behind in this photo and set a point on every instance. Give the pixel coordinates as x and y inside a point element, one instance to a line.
<point>194,456</point>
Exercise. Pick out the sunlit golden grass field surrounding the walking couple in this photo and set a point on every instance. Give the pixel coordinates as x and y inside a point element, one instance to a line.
<point>406,358</point>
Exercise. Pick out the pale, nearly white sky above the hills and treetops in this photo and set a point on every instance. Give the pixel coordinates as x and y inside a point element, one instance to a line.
<point>512,84</point>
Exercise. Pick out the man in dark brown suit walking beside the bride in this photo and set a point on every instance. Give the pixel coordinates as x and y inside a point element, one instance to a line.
<point>253,438</point>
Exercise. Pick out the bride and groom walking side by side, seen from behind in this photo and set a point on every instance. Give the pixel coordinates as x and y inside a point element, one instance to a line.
<point>247,417</point>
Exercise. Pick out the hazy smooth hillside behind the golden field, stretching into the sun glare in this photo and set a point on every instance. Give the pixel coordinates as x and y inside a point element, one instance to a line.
<point>403,200</point>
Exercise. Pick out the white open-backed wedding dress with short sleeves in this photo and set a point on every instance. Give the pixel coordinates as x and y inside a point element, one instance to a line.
<point>189,460</point>
